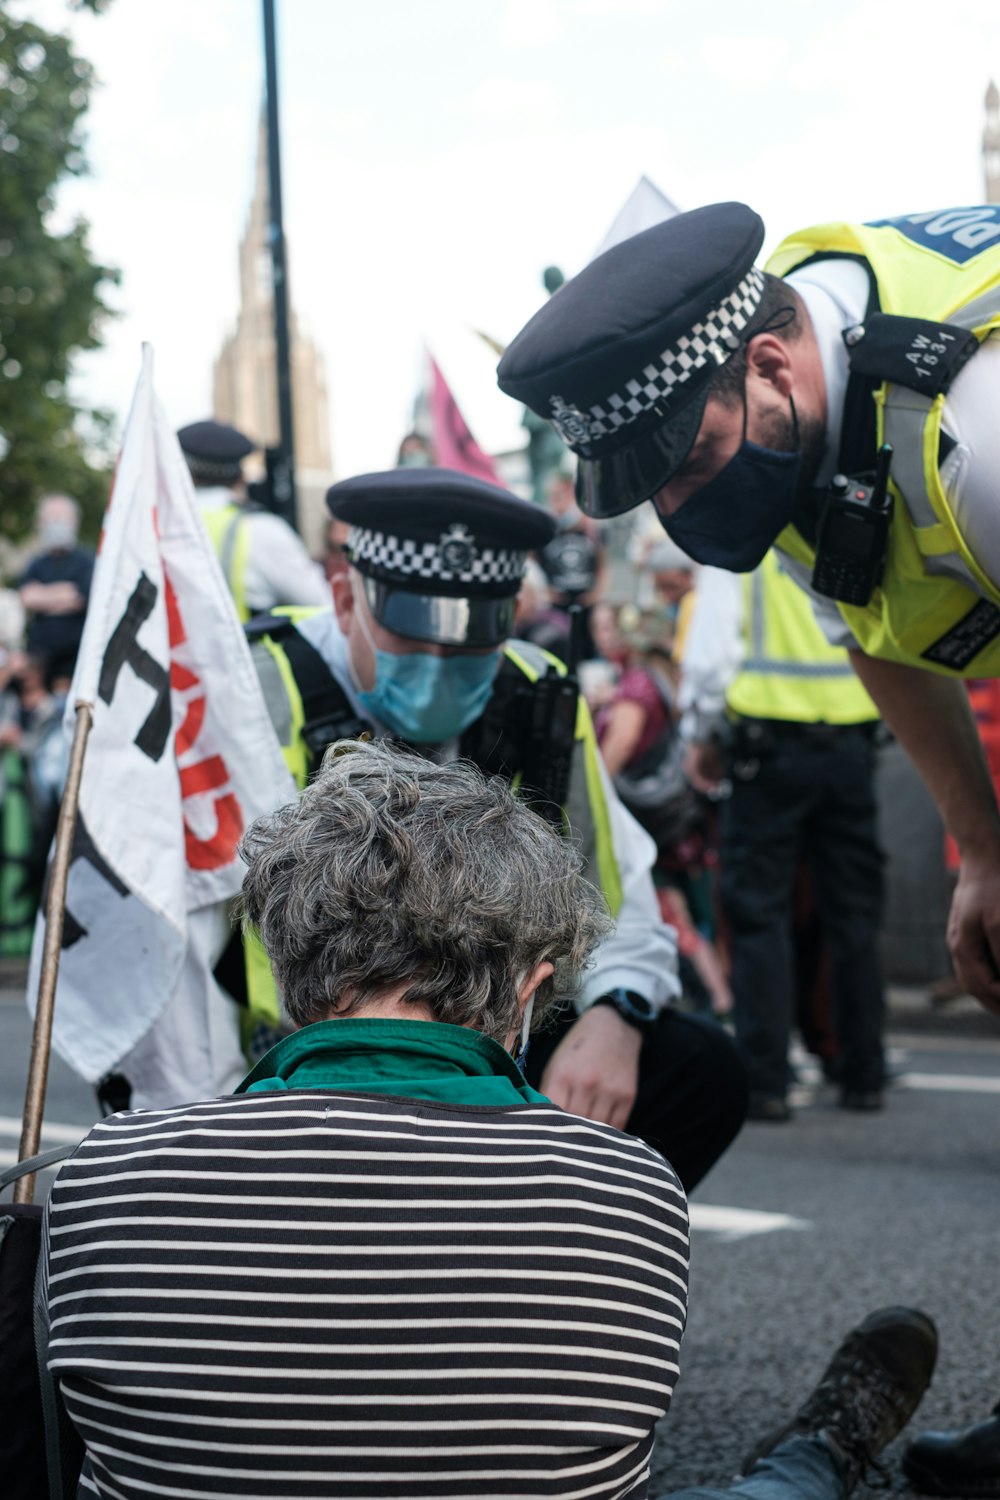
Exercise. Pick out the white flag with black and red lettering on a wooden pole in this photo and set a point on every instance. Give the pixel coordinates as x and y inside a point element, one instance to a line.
<point>182,754</point>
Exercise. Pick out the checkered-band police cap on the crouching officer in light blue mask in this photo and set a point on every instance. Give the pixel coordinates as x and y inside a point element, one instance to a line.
<point>442,554</point>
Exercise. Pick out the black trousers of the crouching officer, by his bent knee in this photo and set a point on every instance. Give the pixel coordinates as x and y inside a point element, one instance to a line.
<point>692,1099</point>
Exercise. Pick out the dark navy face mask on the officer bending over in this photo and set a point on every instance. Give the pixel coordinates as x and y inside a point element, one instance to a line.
<point>735,520</point>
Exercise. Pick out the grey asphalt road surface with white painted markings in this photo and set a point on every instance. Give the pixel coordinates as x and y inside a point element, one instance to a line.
<point>798,1235</point>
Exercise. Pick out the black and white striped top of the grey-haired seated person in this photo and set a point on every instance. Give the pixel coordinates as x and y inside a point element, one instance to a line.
<point>313,1295</point>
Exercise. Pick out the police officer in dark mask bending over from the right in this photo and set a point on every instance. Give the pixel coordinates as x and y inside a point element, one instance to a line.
<point>840,404</point>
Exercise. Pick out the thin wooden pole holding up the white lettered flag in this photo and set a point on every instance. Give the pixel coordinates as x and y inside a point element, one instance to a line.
<point>55,914</point>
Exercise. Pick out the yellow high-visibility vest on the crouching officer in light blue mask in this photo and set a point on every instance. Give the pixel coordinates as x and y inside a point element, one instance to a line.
<point>587,814</point>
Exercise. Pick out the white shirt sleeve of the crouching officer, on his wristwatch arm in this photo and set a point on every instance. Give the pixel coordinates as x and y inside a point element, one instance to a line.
<point>642,952</point>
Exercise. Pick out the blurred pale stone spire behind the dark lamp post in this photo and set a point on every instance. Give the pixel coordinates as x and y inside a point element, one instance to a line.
<point>245,386</point>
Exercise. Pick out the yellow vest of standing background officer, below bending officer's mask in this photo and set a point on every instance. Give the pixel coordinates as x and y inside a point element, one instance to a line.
<point>791,671</point>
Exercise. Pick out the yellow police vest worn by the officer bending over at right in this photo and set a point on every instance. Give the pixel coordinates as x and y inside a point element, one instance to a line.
<point>936,608</point>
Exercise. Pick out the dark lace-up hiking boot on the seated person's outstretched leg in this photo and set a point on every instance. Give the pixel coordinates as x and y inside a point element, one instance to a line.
<point>869,1393</point>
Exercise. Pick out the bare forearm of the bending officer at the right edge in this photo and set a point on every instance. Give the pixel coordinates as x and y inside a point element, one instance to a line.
<point>932,719</point>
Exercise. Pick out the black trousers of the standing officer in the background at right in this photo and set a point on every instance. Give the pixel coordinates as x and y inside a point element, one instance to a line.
<point>809,796</point>
